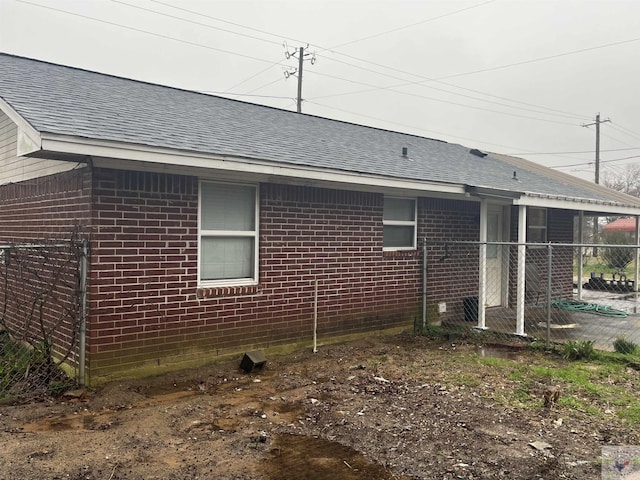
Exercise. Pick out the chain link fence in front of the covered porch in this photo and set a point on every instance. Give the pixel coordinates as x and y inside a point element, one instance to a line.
<point>553,293</point>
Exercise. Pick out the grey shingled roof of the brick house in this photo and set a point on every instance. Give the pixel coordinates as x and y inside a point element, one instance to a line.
<point>60,101</point>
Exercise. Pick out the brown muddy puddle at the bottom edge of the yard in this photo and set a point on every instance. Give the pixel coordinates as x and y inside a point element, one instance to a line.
<point>294,457</point>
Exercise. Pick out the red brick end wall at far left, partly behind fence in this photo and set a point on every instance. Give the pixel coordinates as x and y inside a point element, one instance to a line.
<point>46,210</point>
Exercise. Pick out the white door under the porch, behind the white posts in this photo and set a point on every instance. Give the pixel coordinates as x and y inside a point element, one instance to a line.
<point>494,256</point>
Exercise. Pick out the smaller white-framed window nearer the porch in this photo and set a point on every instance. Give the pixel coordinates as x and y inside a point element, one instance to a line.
<point>399,223</point>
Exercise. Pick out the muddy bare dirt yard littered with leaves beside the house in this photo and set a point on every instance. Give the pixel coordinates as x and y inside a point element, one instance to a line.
<point>398,407</point>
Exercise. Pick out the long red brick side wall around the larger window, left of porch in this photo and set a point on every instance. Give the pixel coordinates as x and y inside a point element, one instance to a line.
<point>145,304</point>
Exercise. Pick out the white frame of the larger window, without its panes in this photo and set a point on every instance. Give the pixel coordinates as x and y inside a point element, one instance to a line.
<point>230,233</point>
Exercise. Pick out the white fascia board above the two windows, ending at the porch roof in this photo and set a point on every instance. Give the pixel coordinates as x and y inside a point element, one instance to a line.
<point>239,165</point>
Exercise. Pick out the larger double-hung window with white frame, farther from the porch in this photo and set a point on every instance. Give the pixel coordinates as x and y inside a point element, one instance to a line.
<point>228,222</point>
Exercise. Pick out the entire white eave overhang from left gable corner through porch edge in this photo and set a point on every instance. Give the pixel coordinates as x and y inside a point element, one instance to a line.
<point>110,154</point>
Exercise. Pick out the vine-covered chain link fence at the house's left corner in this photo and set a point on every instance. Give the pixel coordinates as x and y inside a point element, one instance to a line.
<point>41,310</point>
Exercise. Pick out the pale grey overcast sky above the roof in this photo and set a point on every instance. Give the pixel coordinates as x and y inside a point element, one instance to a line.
<point>514,77</point>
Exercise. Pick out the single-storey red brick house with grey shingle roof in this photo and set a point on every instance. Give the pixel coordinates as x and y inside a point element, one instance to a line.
<point>217,226</point>
